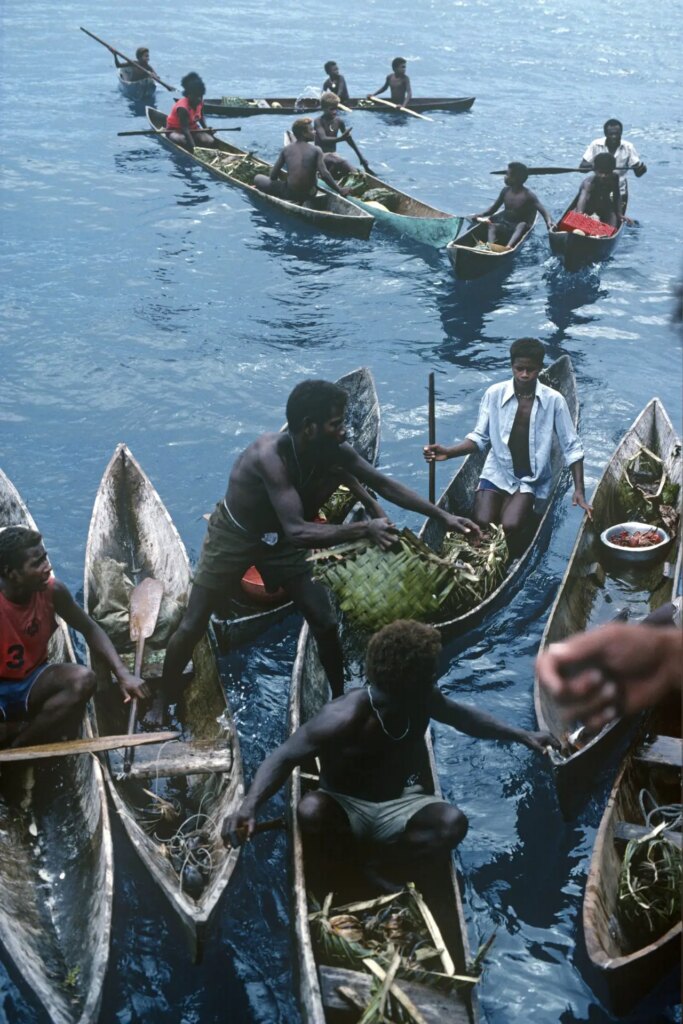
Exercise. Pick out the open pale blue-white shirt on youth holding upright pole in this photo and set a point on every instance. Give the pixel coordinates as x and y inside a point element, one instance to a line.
<point>550,416</point>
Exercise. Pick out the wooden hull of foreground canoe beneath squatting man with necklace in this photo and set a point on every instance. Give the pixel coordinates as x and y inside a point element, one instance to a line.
<point>309,694</point>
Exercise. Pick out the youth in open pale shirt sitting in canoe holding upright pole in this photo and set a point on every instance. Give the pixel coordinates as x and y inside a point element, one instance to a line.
<point>519,418</point>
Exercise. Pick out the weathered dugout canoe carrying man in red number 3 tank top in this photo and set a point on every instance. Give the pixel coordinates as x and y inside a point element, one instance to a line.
<point>57,870</point>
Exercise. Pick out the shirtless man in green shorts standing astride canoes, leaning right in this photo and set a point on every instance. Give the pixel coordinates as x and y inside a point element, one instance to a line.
<point>274,492</point>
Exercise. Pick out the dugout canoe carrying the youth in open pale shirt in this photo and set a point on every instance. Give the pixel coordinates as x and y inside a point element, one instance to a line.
<point>459,499</point>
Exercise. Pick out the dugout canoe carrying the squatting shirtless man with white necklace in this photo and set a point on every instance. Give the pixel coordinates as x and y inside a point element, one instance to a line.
<point>320,1002</point>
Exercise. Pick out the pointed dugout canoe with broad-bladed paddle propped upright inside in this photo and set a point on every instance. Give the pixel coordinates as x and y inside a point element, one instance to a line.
<point>202,775</point>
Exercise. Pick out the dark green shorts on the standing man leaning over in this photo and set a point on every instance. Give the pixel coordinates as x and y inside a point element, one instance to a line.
<point>229,551</point>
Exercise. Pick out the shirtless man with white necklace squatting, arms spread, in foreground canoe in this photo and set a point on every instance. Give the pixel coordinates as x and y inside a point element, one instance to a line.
<point>370,744</point>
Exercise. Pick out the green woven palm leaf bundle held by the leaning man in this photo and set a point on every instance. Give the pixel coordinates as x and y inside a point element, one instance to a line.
<point>375,587</point>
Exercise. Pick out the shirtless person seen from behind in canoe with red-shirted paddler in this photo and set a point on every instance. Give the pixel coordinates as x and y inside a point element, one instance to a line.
<point>305,164</point>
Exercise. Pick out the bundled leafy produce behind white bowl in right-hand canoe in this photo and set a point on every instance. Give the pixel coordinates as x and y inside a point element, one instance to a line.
<point>647,494</point>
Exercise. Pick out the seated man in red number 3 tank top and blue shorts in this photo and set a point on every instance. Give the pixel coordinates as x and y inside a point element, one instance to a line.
<point>40,702</point>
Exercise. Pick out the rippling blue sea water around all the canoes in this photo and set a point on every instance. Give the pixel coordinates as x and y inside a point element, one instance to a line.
<point>144,302</point>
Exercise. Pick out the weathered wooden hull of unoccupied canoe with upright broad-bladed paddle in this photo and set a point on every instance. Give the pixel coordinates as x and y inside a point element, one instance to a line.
<point>132,525</point>
